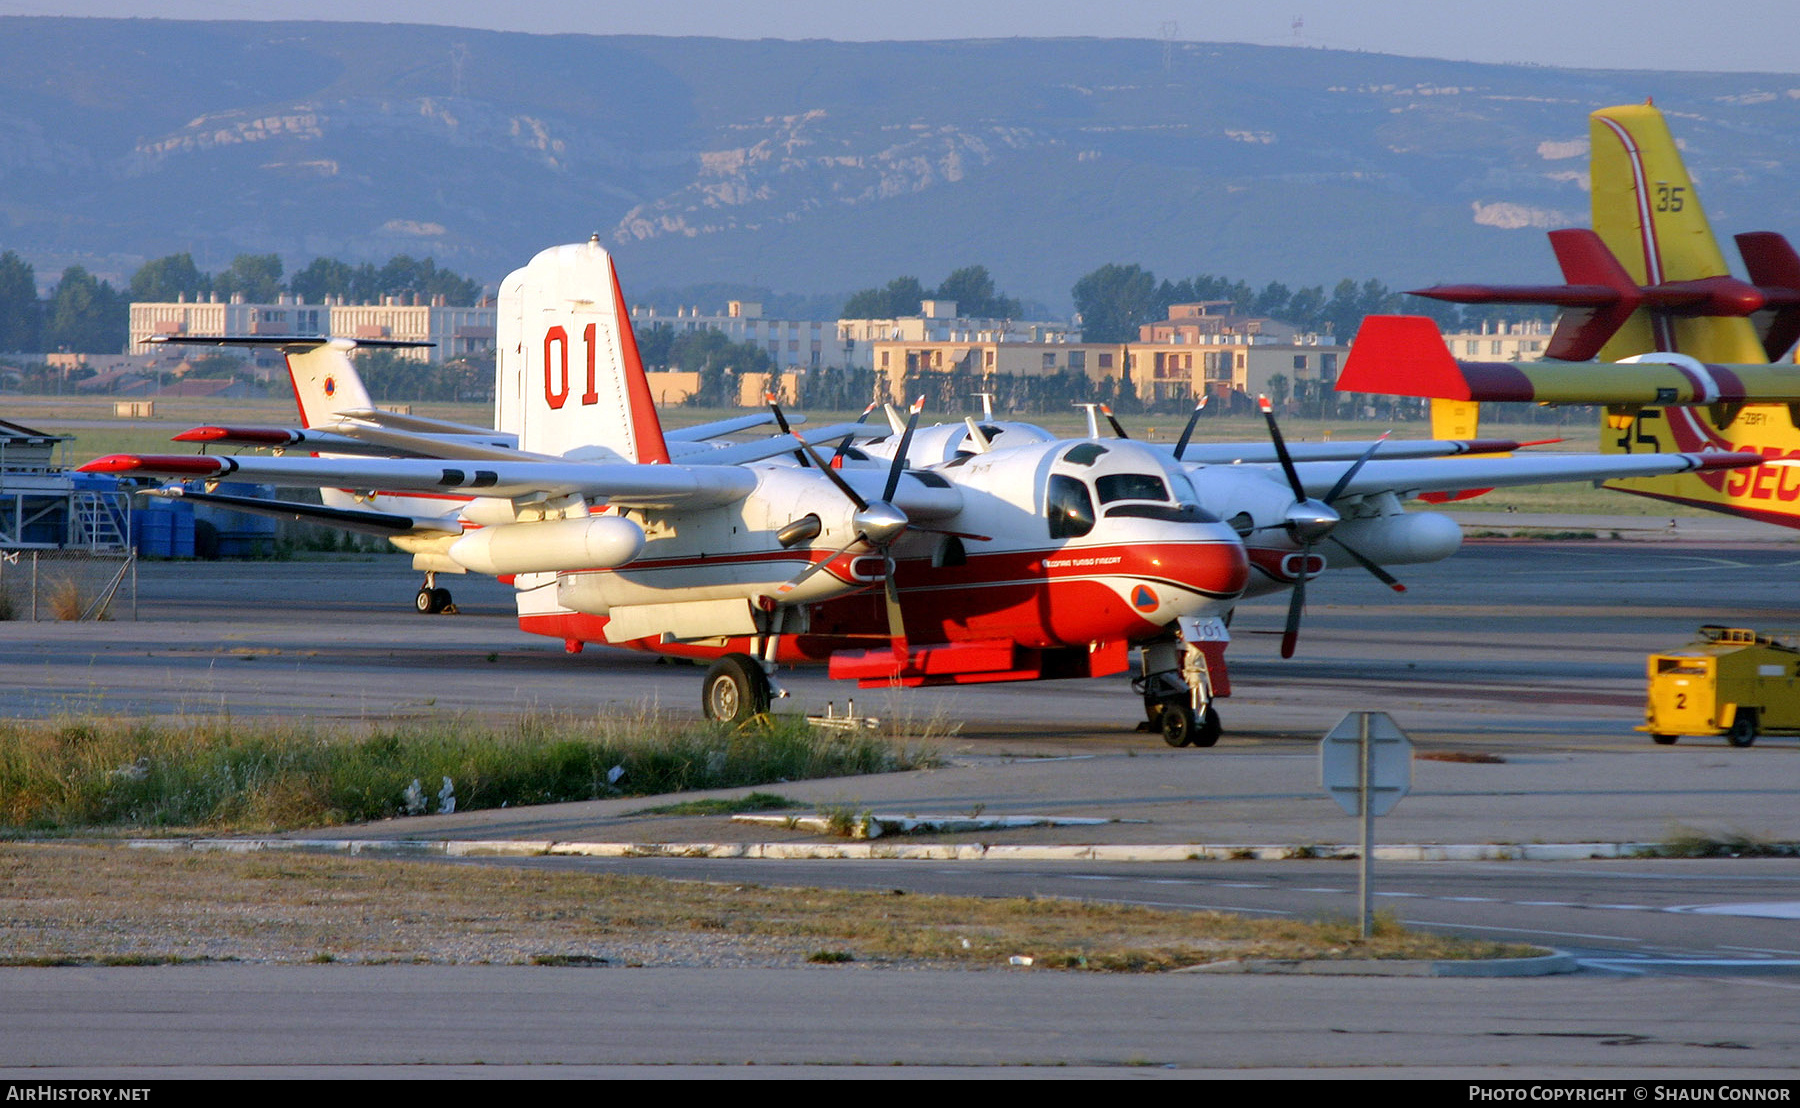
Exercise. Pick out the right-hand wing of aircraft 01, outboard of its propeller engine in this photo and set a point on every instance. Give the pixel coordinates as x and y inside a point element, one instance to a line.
<point>1408,478</point>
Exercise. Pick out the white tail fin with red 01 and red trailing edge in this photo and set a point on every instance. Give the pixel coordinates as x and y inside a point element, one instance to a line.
<point>568,375</point>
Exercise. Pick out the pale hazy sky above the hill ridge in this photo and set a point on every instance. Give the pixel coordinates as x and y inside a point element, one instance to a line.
<point>1740,35</point>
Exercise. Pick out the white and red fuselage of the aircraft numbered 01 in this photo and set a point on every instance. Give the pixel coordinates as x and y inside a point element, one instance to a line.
<point>1047,546</point>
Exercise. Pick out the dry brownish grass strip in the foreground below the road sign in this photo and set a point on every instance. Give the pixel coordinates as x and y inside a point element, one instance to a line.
<point>89,904</point>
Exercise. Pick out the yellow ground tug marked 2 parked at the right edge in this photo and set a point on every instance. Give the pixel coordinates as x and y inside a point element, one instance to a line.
<point>1729,683</point>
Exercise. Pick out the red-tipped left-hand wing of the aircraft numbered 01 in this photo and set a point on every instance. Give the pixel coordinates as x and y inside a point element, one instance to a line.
<point>624,485</point>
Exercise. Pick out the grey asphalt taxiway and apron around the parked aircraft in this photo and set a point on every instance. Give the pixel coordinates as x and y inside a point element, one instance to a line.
<point>1525,652</point>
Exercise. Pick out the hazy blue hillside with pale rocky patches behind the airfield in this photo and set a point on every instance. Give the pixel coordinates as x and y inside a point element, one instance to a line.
<point>818,166</point>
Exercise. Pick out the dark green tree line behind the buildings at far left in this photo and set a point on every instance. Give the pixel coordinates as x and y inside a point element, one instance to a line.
<point>89,316</point>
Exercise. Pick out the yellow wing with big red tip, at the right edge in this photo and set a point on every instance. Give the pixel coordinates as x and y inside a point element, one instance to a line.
<point>1403,355</point>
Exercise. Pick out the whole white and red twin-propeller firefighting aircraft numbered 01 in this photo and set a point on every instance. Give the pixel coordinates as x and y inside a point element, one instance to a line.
<point>1000,564</point>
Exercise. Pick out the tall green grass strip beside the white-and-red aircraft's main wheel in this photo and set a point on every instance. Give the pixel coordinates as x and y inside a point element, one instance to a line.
<point>256,776</point>
